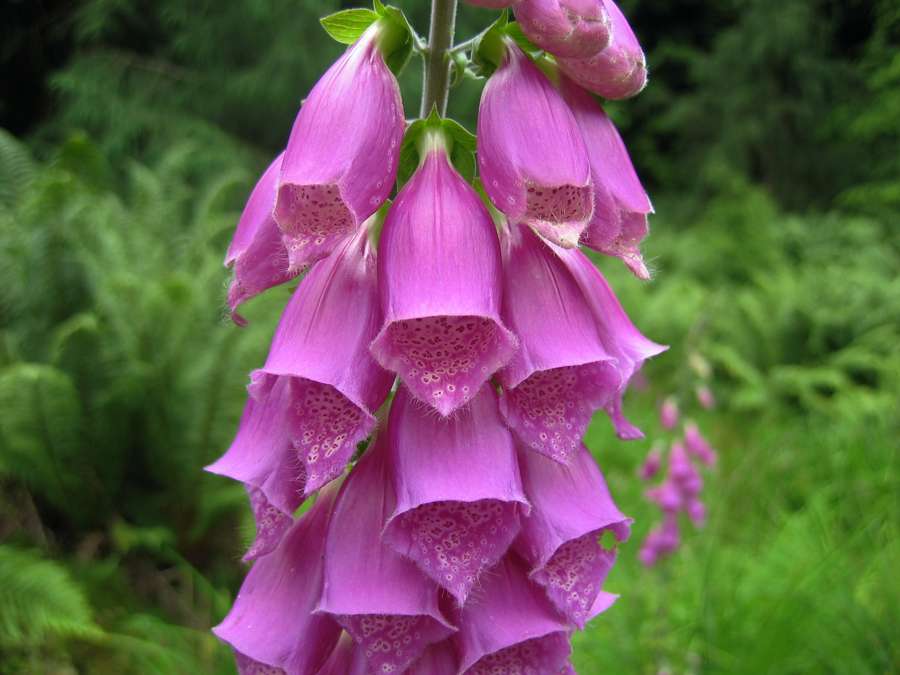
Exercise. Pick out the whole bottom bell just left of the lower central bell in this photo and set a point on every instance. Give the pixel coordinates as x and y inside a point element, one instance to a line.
<point>375,594</point>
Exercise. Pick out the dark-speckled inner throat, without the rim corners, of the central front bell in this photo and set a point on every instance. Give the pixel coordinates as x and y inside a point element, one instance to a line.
<point>445,356</point>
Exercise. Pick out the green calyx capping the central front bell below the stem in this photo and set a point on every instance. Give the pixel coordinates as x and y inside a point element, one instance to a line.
<point>423,136</point>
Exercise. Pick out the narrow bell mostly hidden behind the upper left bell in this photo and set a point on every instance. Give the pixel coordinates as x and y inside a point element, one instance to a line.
<point>257,251</point>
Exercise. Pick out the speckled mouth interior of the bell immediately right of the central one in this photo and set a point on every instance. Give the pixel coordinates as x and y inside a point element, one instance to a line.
<point>553,408</point>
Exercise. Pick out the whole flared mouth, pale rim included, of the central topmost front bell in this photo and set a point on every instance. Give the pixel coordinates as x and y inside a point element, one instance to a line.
<point>444,360</point>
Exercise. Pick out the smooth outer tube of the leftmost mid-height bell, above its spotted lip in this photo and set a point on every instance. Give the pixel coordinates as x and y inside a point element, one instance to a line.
<point>261,454</point>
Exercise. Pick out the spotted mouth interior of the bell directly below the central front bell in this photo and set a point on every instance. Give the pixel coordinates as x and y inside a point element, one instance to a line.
<point>454,542</point>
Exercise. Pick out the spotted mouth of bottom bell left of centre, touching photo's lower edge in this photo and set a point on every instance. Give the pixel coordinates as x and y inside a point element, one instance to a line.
<point>391,642</point>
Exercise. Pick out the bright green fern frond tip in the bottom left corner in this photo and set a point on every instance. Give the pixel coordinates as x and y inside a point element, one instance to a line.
<point>39,601</point>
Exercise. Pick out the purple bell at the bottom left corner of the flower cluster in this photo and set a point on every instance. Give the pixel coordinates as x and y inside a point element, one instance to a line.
<point>272,621</point>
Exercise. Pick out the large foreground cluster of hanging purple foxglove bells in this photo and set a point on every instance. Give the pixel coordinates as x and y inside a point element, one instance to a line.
<point>463,344</point>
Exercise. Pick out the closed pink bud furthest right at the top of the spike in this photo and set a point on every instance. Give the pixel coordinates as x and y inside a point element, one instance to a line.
<point>620,70</point>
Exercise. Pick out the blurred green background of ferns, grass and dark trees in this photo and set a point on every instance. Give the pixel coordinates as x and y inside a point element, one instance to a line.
<point>769,140</point>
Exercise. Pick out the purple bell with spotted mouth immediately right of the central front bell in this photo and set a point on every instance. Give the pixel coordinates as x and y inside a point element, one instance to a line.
<point>561,373</point>
